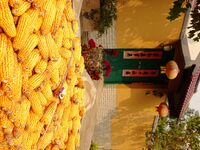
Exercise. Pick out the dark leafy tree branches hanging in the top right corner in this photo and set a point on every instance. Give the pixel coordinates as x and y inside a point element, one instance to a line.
<point>181,6</point>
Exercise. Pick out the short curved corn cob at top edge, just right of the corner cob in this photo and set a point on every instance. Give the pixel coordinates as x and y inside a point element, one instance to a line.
<point>23,7</point>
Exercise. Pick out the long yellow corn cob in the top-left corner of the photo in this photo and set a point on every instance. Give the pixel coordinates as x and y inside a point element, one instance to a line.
<point>6,19</point>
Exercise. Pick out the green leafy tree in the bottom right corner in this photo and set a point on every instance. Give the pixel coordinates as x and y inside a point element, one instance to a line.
<point>174,134</point>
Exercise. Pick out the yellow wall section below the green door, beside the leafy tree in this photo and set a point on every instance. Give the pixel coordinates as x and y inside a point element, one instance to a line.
<point>135,112</point>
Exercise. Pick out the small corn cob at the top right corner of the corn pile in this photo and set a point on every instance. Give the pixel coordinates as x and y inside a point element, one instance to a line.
<point>69,12</point>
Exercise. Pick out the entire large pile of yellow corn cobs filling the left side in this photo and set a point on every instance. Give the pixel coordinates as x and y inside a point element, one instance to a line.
<point>41,90</point>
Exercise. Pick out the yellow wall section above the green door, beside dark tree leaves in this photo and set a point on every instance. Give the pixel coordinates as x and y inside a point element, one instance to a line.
<point>143,24</point>
